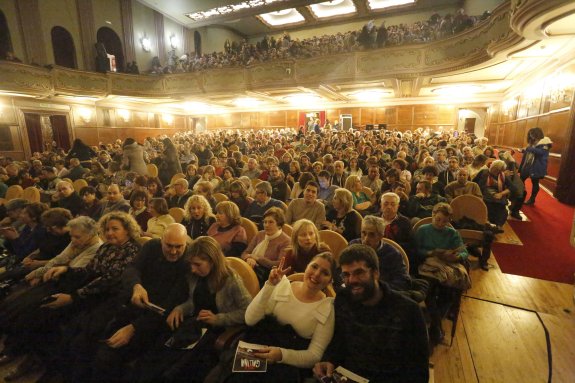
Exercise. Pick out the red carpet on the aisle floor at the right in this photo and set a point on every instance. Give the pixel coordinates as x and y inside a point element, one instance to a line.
<point>546,252</point>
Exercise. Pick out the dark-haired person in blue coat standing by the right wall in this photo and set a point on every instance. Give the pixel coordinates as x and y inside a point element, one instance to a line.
<point>534,161</point>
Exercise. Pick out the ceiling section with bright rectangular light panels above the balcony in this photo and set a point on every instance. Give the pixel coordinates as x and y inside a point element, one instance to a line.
<point>246,17</point>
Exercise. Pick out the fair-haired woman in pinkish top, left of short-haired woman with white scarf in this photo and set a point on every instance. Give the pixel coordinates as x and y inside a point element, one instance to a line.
<point>227,230</point>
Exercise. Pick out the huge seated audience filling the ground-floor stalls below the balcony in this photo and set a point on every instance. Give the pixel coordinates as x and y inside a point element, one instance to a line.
<point>366,186</point>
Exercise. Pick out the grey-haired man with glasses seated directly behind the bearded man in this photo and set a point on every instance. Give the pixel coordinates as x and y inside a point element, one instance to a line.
<point>391,267</point>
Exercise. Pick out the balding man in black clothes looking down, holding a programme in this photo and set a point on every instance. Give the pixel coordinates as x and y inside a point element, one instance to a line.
<point>157,276</point>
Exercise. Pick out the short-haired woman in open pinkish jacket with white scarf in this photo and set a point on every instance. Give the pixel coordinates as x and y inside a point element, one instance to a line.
<point>263,252</point>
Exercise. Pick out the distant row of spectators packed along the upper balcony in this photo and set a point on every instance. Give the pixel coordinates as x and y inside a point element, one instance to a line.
<point>371,36</point>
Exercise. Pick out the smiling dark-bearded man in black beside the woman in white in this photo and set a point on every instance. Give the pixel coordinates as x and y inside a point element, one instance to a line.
<point>379,334</point>
